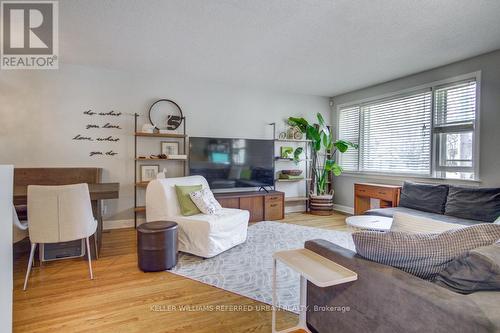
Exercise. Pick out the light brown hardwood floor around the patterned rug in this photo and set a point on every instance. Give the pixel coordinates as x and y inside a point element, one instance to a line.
<point>121,298</point>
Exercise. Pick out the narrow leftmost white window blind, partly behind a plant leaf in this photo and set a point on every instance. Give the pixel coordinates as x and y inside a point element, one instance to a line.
<point>349,131</point>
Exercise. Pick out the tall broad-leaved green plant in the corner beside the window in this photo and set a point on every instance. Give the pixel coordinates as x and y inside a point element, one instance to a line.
<point>324,148</point>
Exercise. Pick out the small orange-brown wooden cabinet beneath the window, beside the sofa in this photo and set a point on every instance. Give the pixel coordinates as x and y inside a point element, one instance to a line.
<point>363,192</point>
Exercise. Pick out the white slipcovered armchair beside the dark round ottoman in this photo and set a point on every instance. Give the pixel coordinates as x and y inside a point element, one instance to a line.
<point>202,235</point>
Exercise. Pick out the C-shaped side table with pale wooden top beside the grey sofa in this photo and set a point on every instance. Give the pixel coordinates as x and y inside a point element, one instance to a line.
<point>313,268</point>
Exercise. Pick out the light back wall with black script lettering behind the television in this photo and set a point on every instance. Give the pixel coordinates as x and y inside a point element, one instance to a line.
<point>42,110</point>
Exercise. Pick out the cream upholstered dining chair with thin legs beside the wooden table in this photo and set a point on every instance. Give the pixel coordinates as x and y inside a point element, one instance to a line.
<point>59,214</point>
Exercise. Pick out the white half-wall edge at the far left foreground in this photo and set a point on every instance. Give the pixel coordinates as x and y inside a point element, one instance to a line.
<point>6,174</point>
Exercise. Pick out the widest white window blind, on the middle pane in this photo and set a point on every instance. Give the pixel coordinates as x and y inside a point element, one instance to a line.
<point>396,135</point>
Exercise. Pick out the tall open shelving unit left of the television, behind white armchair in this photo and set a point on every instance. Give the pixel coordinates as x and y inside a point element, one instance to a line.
<point>140,186</point>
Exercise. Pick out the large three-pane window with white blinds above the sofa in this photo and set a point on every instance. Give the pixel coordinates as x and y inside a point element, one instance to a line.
<point>427,132</point>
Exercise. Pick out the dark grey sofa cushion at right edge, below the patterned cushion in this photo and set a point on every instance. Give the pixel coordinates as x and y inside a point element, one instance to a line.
<point>478,269</point>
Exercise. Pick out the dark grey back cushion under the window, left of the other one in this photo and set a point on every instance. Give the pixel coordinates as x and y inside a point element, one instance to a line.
<point>424,197</point>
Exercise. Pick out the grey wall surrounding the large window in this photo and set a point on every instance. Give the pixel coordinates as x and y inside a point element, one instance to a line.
<point>489,164</point>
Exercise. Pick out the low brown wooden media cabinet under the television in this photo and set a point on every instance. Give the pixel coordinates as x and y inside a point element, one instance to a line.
<point>261,205</point>
